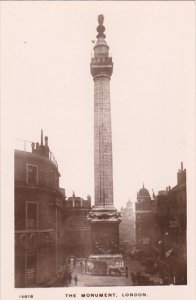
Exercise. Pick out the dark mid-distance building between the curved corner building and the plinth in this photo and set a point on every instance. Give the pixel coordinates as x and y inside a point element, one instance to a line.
<point>75,234</point>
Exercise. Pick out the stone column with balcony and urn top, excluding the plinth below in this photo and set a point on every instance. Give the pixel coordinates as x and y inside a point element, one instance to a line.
<point>101,70</point>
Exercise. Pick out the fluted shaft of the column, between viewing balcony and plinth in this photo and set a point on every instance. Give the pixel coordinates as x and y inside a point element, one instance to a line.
<point>103,171</point>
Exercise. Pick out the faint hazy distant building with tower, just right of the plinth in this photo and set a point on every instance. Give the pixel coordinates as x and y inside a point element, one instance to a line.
<point>127,228</point>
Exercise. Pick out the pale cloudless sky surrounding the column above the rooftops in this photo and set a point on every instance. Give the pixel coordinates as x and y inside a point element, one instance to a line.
<point>46,84</point>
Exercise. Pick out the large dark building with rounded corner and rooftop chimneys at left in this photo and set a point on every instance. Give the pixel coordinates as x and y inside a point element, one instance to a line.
<point>38,200</point>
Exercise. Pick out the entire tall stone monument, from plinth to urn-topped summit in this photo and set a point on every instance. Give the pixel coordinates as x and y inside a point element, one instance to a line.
<point>104,218</point>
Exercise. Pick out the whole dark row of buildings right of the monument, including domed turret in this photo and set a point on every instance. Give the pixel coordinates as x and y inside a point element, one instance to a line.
<point>161,230</point>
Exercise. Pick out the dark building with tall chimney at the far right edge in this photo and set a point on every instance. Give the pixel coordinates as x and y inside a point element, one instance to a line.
<point>172,220</point>
